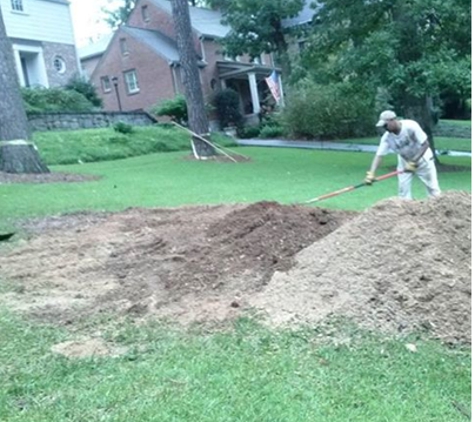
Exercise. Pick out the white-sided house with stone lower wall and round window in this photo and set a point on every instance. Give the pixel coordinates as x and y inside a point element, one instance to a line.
<point>42,37</point>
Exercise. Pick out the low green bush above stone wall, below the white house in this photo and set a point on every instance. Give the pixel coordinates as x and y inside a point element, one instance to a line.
<point>56,100</point>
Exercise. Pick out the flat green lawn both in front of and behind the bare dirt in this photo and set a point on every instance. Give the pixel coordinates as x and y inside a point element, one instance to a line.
<point>242,371</point>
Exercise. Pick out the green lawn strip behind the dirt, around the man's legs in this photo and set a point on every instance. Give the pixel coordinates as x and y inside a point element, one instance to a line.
<point>284,175</point>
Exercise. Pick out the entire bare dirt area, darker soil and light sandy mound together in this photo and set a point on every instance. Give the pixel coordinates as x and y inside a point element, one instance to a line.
<point>398,266</point>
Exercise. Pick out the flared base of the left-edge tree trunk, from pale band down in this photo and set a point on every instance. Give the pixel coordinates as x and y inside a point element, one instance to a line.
<point>20,156</point>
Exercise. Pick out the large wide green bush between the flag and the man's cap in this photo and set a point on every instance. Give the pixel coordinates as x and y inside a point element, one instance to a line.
<point>335,111</point>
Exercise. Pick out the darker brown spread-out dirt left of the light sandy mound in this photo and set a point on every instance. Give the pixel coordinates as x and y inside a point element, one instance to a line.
<point>189,263</point>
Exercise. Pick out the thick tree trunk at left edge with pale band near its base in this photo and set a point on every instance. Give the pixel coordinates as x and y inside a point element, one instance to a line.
<point>17,154</point>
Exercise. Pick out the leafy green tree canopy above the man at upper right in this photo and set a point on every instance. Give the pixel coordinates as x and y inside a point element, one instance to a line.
<point>413,48</point>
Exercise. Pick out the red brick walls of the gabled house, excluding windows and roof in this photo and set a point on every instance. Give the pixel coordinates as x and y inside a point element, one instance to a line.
<point>154,74</point>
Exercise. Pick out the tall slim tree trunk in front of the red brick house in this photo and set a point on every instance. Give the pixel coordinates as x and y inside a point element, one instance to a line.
<point>197,118</point>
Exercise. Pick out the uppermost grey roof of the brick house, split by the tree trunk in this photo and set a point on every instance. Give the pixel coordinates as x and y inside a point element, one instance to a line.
<point>206,22</point>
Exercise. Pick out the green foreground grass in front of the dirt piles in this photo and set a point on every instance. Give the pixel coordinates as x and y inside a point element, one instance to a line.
<point>242,373</point>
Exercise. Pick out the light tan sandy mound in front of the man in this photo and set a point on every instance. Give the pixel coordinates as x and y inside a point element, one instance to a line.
<point>399,266</point>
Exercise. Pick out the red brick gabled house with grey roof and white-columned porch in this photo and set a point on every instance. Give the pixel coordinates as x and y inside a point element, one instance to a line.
<point>140,66</point>
